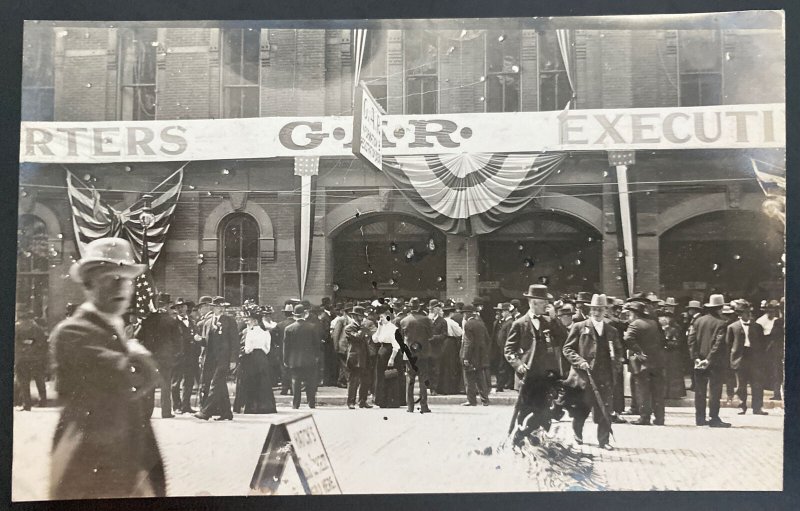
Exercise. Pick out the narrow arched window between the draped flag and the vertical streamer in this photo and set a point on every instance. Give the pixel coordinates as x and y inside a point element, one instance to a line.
<point>239,259</point>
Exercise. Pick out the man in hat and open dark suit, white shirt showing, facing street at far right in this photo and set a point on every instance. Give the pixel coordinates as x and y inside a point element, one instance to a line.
<point>745,340</point>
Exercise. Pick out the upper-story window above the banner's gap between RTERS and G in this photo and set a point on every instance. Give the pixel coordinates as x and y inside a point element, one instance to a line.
<point>241,83</point>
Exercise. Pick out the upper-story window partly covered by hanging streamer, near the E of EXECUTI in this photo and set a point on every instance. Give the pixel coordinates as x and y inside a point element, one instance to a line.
<point>554,89</point>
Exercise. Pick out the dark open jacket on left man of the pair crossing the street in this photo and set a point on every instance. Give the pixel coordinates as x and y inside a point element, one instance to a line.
<point>520,347</point>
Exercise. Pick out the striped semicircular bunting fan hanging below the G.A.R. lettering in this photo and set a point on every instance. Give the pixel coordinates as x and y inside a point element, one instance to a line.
<point>471,193</point>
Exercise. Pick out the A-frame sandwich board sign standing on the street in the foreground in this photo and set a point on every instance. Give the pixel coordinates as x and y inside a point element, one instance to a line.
<point>294,461</point>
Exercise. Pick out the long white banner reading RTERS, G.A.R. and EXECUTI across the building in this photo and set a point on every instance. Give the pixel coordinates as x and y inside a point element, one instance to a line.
<point>709,127</point>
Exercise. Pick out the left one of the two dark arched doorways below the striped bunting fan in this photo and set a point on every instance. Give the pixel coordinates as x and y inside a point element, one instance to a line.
<point>388,255</point>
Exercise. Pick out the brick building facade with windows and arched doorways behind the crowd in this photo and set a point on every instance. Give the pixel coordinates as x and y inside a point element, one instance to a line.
<point>691,237</point>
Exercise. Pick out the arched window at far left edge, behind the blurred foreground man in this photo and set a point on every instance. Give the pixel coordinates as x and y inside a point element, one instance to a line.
<point>32,264</point>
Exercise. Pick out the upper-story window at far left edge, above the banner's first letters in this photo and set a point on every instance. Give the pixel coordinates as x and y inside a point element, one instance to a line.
<point>38,73</point>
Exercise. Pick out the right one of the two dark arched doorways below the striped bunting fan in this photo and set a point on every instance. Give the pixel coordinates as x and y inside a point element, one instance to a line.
<point>552,248</point>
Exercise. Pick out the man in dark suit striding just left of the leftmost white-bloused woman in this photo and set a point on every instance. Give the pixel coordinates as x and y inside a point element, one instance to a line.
<point>221,334</point>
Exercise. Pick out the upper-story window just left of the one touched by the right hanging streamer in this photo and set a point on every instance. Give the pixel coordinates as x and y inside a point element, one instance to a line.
<point>502,70</point>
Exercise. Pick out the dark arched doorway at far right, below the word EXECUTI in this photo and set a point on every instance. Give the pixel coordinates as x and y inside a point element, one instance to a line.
<point>737,253</point>
